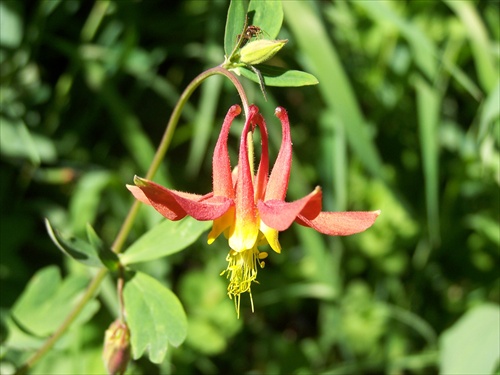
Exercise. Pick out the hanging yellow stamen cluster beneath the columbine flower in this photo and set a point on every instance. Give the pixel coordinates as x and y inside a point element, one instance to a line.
<point>241,272</point>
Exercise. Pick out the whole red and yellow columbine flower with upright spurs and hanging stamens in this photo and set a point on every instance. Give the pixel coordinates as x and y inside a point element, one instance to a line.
<point>250,208</point>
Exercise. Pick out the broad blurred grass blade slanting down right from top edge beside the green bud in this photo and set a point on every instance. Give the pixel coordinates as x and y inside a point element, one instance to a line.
<point>323,61</point>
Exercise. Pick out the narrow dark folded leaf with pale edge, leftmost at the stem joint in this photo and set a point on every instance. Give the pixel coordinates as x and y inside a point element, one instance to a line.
<point>75,248</point>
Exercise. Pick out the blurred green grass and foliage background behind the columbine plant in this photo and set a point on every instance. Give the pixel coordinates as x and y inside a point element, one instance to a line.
<point>405,119</point>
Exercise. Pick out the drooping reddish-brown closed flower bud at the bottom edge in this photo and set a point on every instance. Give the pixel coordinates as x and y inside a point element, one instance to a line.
<point>116,354</point>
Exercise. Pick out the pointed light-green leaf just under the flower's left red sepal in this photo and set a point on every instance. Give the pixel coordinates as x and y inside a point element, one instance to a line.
<point>166,238</point>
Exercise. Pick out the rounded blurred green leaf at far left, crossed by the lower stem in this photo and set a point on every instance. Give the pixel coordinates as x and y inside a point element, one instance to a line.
<point>47,301</point>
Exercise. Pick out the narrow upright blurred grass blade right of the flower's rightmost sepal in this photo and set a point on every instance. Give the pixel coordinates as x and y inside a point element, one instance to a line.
<point>428,107</point>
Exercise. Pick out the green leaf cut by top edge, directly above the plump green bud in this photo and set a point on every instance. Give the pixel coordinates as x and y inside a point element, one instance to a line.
<point>268,15</point>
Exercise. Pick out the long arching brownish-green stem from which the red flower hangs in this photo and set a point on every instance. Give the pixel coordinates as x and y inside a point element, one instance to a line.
<point>127,223</point>
